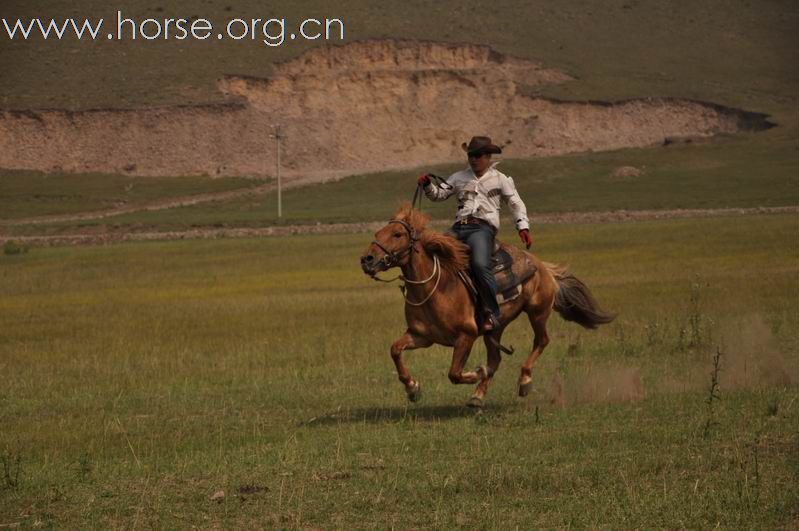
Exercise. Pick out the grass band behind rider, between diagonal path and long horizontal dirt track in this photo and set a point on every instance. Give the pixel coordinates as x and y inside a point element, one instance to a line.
<point>733,172</point>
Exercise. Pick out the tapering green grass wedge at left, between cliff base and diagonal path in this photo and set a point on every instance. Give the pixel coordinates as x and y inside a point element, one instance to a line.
<point>28,194</point>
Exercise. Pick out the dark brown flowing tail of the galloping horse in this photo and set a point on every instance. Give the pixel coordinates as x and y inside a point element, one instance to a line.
<point>574,301</point>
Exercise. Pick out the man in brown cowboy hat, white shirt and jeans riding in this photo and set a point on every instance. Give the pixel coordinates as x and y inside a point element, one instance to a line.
<point>480,189</point>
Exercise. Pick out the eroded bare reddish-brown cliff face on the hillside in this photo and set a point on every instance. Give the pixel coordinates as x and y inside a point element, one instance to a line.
<point>366,106</point>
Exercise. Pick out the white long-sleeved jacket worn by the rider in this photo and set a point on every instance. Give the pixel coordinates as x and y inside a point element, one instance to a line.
<point>480,198</point>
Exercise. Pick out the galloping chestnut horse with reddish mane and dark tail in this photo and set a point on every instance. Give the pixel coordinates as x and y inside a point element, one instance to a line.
<point>439,308</point>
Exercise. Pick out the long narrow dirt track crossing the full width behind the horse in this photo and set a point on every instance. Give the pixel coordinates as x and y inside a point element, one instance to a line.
<point>349,228</point>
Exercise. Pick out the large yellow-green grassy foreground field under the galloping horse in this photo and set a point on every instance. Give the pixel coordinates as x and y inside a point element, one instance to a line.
<point>142,379</point>
